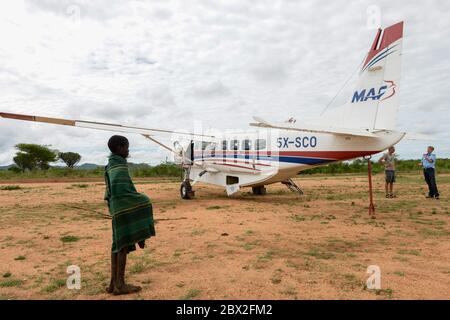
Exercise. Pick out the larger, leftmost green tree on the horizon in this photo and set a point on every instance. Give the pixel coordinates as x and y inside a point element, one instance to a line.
<point>33,156</point>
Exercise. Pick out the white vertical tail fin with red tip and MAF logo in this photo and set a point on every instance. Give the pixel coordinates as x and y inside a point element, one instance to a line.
<point>374,102</point>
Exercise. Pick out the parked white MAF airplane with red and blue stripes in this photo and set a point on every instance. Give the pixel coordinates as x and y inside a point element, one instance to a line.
<point>275,152</point>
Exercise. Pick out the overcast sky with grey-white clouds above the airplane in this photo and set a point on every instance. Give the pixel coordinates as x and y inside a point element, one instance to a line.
<point>171,64</point>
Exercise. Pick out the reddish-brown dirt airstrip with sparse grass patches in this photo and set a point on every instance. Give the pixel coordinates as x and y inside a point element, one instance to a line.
<point>278,246</point>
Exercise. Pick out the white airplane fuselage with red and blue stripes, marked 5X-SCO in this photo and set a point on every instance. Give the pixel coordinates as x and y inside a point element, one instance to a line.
<point>283,154</point>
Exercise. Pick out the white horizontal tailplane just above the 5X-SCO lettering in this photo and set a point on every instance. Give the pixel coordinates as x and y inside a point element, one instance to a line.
<point>316,129</point>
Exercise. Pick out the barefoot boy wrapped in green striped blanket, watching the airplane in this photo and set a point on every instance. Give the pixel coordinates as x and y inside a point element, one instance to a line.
<point>132,215</point>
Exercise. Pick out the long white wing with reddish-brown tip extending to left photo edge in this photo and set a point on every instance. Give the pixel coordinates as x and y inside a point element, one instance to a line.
<point>102,126</point>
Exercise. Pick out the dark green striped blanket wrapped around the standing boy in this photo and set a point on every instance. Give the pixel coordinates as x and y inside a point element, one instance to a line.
<point>132,214</point>
